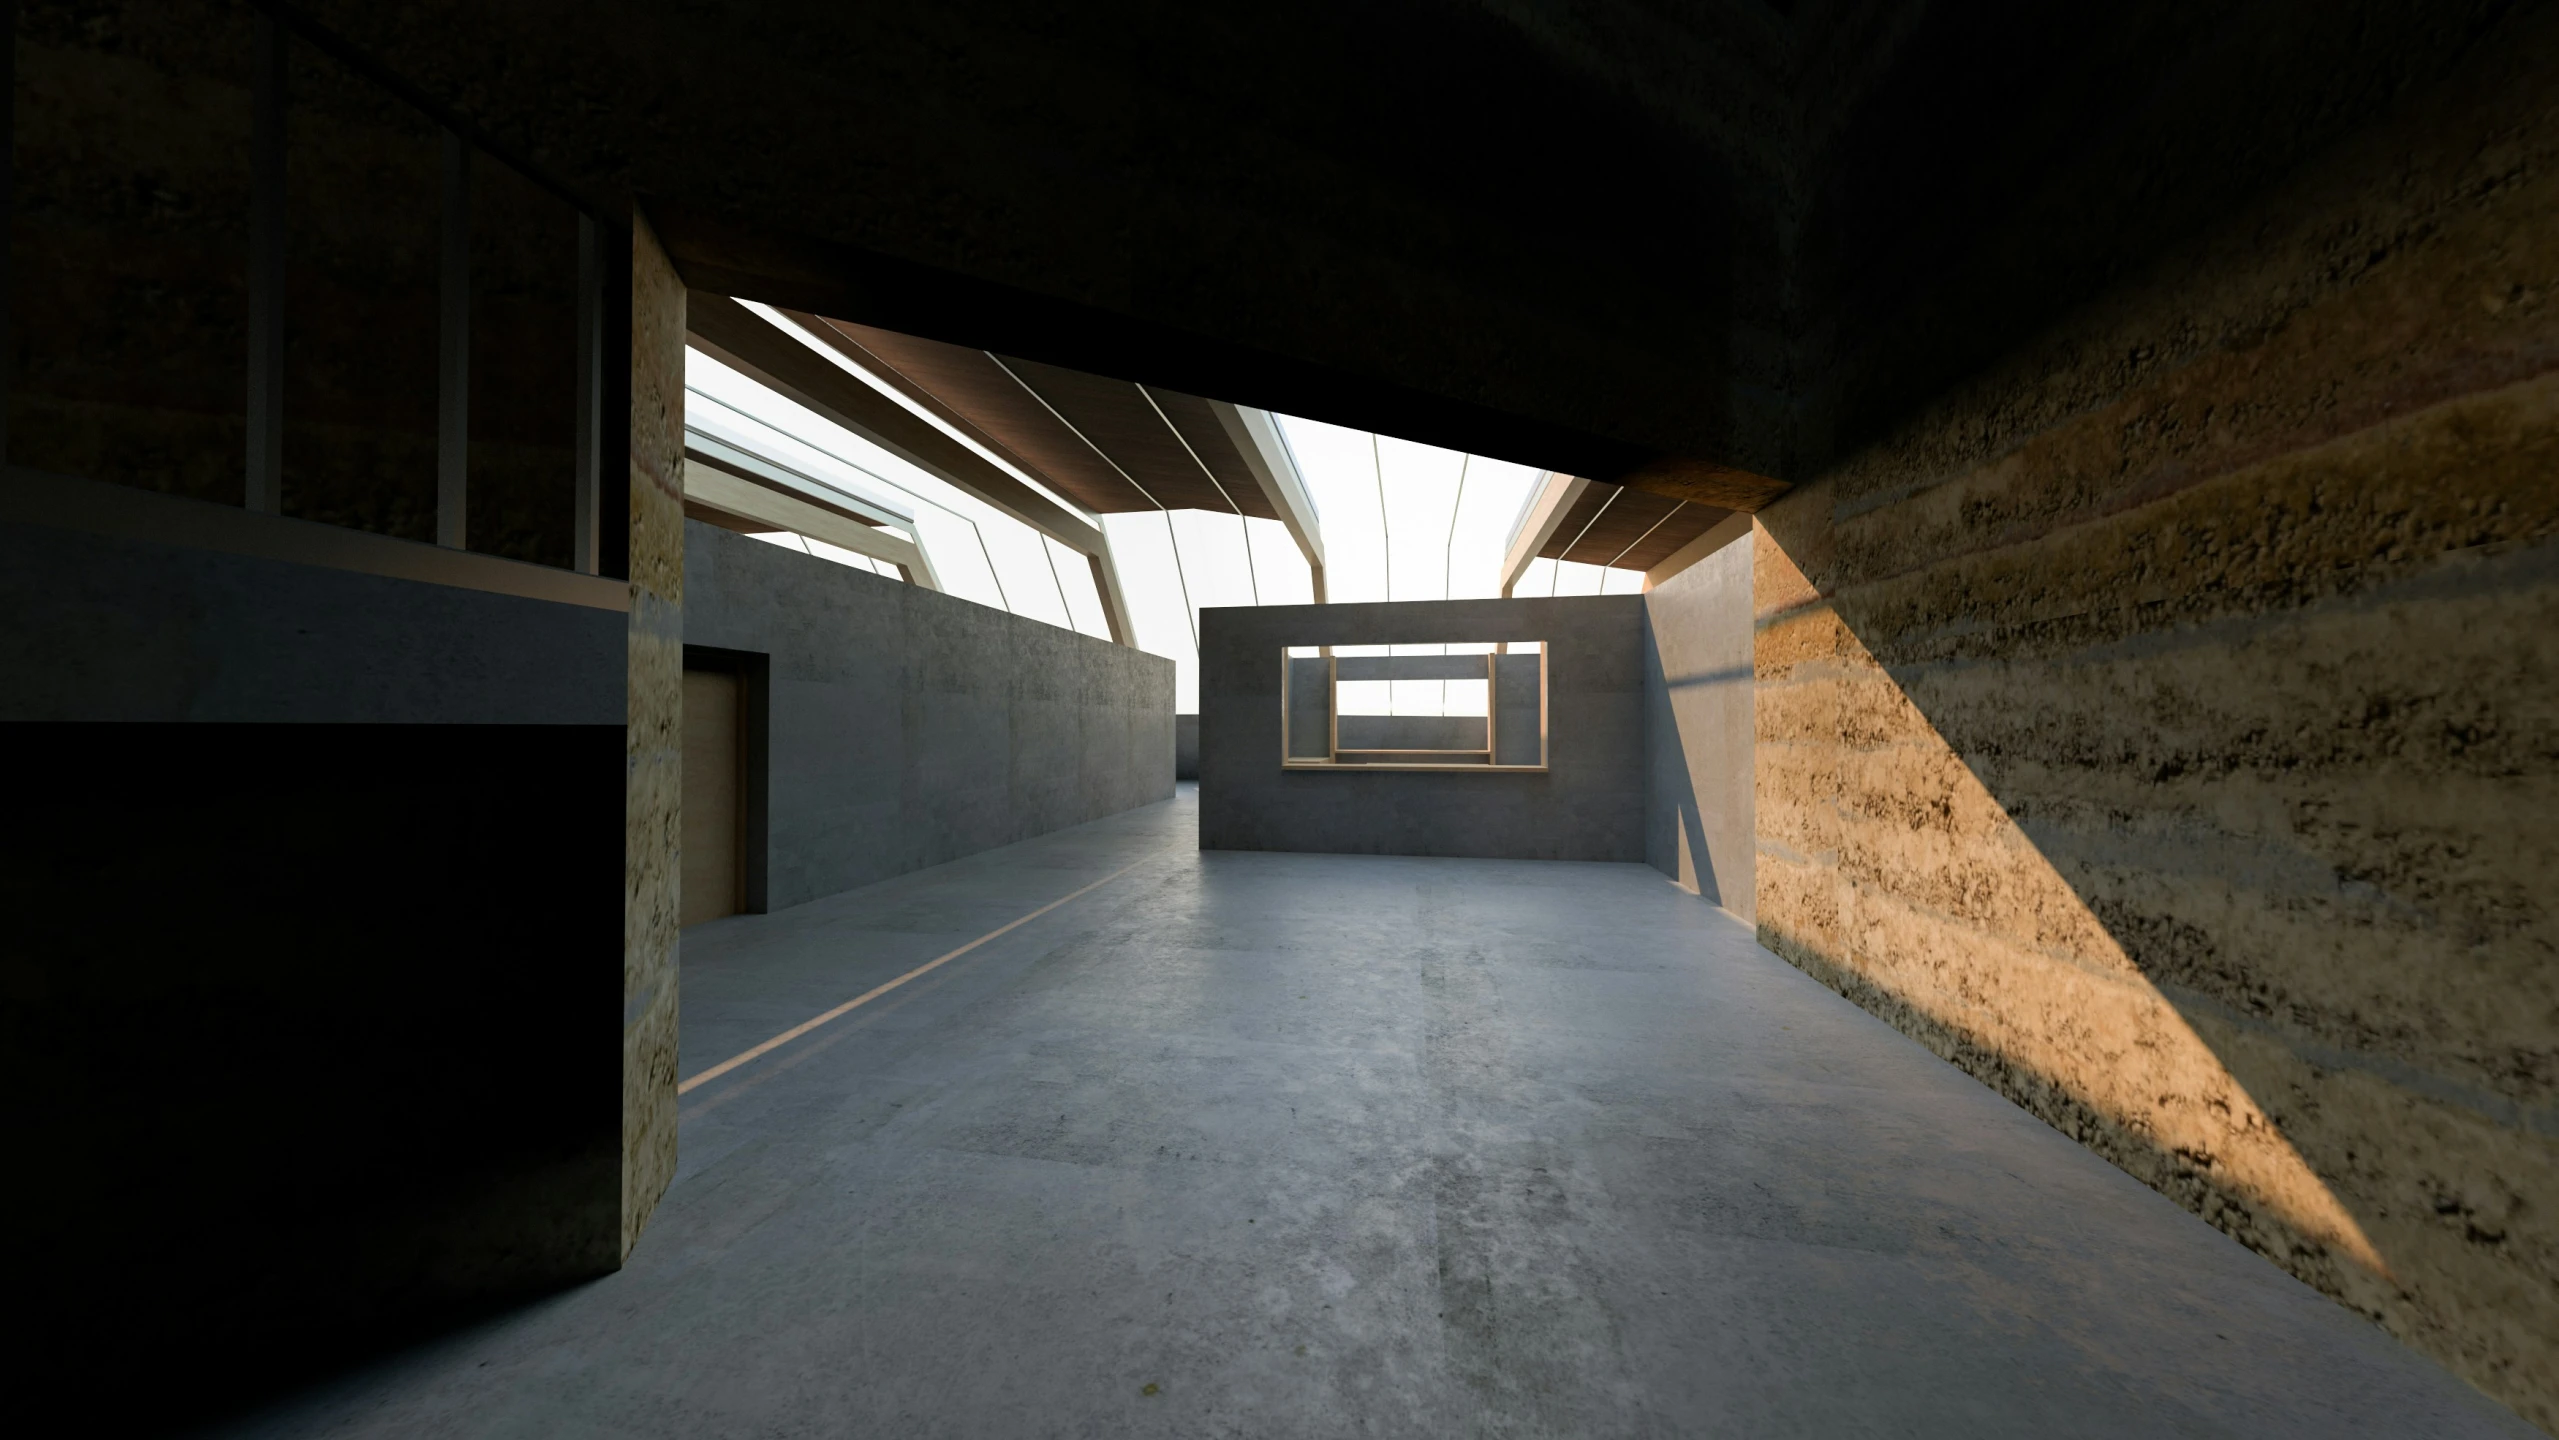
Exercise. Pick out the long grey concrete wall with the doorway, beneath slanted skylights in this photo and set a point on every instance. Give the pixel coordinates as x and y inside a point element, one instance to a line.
<point>912,728</point>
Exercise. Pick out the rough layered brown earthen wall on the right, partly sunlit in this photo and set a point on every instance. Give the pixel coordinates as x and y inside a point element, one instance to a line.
<point>2159,723</point>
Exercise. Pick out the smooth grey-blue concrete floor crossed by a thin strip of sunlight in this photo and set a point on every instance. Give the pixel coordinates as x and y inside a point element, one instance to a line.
<point>1299,1145</point>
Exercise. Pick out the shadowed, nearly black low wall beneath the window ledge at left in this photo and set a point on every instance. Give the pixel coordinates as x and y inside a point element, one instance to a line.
<point>316,889</point>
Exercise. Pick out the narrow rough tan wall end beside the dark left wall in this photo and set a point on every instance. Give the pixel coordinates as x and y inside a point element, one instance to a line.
<point>654,735</point>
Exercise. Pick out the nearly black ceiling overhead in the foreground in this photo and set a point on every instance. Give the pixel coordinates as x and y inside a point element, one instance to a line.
<point>1624,239</point>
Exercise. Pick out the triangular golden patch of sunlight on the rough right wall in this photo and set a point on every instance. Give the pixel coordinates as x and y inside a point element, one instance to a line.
<point>1890,873</point>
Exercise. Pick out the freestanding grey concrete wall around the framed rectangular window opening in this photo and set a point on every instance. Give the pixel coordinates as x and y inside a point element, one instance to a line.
<point>1588,804</point>
